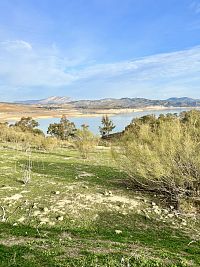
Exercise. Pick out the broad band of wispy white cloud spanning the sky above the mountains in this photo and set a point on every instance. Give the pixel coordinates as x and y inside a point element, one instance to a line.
<point>30,68</point>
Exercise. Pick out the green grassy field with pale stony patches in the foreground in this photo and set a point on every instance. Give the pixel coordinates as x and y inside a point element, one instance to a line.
<point>77,212</point>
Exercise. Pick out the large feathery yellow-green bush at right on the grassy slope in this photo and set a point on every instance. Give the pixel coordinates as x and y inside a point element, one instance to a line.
<point>163,153</point>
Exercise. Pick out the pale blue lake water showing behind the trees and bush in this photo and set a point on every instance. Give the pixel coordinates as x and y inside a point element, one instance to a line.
<point>120,120</point>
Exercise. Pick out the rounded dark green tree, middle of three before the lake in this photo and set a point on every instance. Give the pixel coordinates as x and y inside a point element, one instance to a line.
<point>62,130</point>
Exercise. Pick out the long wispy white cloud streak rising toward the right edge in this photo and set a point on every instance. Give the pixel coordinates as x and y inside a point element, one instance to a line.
<point>167,65</point>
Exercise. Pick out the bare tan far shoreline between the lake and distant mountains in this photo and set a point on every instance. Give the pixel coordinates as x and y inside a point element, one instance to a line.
<point>14,116</point>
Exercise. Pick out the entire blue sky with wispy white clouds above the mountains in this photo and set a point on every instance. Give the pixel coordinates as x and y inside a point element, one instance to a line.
<point>89,49</point>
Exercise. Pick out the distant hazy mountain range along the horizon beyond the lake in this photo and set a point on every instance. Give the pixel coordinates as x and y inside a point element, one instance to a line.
<point>112,103</point>
